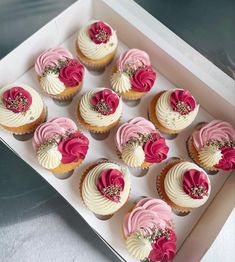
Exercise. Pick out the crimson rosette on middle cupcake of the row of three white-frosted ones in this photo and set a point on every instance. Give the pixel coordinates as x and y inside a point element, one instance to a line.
<point>105,101</point>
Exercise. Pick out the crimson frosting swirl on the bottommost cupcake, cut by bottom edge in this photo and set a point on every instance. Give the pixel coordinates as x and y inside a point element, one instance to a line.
<point>164,249</point>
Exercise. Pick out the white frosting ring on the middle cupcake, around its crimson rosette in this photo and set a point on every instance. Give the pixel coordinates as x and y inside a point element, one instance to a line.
<point>93,117</point>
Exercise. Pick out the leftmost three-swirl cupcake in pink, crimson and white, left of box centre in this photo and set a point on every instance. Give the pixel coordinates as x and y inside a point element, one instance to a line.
<point>60,146</point>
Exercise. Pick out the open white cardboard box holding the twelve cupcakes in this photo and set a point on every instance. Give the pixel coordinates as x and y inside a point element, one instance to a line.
<point>178,64</point>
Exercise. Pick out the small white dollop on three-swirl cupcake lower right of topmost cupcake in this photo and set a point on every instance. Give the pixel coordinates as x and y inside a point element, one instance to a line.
<point>120,82</point>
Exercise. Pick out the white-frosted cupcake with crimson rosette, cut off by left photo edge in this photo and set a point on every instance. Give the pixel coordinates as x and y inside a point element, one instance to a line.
<point>21,109</point>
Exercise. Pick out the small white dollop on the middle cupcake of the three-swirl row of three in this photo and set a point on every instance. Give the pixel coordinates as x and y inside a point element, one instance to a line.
<point>133,155</point>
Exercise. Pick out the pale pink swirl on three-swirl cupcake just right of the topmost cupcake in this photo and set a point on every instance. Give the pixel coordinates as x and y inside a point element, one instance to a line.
<point>133,58</point>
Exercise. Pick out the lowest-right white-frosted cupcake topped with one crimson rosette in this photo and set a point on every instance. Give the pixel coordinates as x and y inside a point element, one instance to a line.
<point>183,185</point>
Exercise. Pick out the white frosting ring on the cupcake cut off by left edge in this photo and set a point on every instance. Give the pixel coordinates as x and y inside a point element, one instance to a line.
<point>11,119</point>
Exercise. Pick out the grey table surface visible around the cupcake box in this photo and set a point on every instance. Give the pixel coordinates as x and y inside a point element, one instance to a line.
<point>36,223</point>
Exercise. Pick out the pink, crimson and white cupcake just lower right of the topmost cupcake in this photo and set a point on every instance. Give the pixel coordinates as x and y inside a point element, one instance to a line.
<point>133,75</point>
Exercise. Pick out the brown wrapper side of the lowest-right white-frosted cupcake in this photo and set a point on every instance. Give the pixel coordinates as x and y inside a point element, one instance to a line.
<point>161,190</point>
